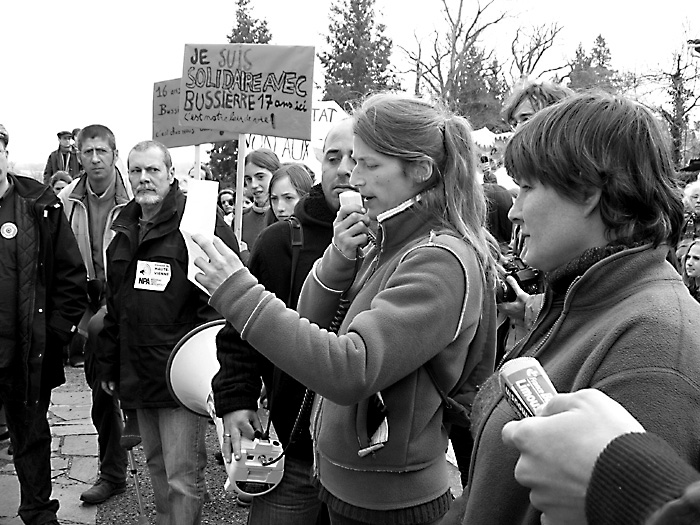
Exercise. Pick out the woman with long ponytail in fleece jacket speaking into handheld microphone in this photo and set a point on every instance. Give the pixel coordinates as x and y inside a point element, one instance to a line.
<point>421,295</point>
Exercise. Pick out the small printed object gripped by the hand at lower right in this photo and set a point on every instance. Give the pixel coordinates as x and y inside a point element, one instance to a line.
<point>526,385</point>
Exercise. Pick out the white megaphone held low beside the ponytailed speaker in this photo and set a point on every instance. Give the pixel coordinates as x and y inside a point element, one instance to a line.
<point>191,367</point>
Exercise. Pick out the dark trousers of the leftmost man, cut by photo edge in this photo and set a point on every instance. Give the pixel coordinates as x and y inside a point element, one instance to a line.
<point>30,436</point>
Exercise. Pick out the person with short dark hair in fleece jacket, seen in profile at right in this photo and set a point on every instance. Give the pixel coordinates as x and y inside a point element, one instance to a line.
<point>599,210</point>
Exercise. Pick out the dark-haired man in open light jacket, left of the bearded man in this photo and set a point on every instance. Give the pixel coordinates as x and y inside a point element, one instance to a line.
<point>91,204</point>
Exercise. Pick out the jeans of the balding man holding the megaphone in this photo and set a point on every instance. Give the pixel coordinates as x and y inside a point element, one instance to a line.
<point>293,502</point>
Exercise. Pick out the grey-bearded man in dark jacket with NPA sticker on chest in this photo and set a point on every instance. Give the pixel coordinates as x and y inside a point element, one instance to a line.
<point>151,306</point>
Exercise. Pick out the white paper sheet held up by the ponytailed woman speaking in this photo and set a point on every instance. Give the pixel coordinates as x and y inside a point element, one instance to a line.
<point>199,217</point>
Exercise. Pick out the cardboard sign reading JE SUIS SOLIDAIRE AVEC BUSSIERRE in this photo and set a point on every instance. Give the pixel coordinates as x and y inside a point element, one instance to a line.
<point>248,88</point>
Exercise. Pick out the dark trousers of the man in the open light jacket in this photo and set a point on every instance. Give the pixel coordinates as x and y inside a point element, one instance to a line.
<point>105,412</point>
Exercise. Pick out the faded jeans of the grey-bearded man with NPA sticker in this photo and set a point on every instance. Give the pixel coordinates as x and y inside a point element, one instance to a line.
<point>175,450</point>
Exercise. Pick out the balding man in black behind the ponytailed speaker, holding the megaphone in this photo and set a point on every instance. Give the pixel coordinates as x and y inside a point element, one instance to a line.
<point>237,385</point>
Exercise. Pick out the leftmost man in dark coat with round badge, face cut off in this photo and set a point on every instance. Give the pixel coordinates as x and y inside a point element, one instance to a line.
<point>42,296</point>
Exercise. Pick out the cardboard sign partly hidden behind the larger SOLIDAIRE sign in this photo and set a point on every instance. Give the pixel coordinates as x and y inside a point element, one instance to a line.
<point>166,125</point>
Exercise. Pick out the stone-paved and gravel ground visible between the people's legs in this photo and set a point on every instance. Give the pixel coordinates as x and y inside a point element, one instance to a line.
<point>74,469</point>
